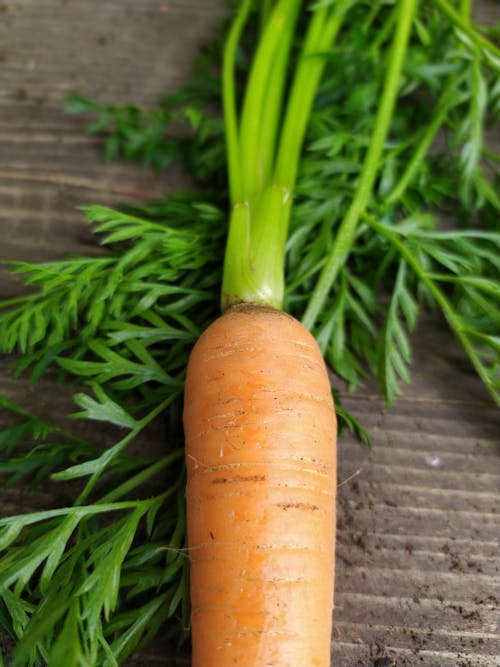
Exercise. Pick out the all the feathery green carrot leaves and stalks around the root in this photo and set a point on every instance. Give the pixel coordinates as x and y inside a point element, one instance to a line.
<point>343,171</point>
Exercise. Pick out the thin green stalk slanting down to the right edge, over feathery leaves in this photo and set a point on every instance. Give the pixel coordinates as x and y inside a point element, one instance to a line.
<point>439,296</point>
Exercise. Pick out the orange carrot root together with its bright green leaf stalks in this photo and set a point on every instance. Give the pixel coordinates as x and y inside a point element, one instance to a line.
<point>259,418</point>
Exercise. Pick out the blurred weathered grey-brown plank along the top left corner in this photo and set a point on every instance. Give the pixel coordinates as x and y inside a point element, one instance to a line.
<point>118,51</point>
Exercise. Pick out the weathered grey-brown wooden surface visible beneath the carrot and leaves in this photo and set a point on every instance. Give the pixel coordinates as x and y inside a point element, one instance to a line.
<point>419,525</point>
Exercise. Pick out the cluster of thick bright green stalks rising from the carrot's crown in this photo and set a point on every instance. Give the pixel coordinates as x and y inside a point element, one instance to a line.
<point>255,251</point>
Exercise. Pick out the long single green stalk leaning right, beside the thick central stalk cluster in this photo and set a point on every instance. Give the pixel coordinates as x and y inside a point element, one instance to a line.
<point>347,230</point>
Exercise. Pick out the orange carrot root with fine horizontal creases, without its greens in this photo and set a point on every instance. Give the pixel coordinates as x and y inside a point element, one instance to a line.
<point>260,435</point>
